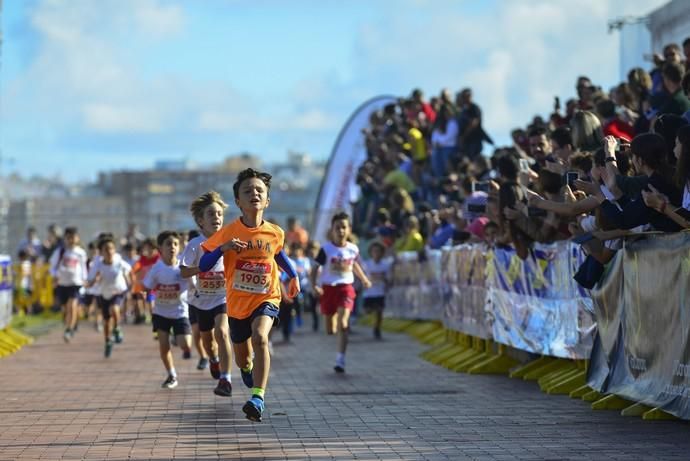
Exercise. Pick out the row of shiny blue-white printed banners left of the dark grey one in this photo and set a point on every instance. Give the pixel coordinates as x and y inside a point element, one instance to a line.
<point>533,305</point>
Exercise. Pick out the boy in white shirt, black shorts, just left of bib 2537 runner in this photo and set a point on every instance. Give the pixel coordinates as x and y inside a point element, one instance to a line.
<point>170,312</point>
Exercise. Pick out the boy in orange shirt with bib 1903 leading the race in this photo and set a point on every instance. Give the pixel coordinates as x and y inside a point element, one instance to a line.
<point>252,253</point>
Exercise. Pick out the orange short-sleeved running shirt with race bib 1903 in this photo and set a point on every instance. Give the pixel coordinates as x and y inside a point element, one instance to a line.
<point>252,276</point>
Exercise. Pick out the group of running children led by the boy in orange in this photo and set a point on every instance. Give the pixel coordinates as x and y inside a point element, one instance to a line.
<point>230,282</point>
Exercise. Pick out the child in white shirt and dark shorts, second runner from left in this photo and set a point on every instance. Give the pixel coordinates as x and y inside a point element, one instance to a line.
<point>114,275</point>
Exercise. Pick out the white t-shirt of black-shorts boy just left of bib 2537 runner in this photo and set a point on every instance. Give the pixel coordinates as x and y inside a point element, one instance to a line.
<point>171,290</point>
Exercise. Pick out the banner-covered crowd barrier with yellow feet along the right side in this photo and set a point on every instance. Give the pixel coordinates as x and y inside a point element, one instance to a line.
<point>487,311</point>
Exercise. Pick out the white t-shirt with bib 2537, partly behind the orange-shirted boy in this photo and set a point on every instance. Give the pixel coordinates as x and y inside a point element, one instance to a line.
<point>209,287</point>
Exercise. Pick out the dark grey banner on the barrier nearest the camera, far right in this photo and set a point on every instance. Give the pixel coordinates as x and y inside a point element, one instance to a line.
<point>643,309</point>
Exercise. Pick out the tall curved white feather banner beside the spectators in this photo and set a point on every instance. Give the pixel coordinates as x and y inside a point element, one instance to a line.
<point>338,187</point>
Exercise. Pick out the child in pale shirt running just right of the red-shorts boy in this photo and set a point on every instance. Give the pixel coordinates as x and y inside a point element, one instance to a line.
<point>378,269</point>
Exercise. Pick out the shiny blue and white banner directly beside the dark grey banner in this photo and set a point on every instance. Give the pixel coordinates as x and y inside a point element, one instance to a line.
<point>535,305</point>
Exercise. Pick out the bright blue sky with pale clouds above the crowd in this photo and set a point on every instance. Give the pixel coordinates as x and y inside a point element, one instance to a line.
<point>90,85</point>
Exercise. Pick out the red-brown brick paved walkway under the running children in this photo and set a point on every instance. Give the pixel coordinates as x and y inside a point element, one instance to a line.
<point>60,401</point>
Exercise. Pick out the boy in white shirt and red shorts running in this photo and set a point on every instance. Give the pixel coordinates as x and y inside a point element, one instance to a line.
<point>339,263</point>
